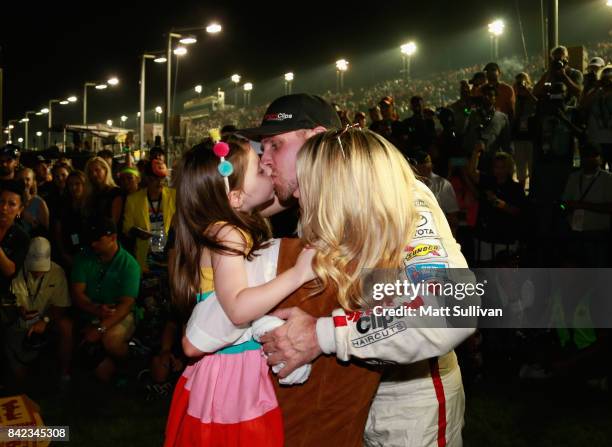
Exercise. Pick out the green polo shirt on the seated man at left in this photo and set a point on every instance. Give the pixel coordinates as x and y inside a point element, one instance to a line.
<point>106,283</point>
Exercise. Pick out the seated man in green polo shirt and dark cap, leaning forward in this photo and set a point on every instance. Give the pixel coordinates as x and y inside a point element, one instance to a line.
<point>104,284</point>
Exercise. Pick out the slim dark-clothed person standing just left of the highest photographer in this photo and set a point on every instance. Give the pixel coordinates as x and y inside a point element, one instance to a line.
<point>526,104</point>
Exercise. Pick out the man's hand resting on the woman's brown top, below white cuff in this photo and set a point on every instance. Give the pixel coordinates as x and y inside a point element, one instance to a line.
<point>294,343</point>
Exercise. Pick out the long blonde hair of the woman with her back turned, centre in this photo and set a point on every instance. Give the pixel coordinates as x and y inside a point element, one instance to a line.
<point>358,197</point>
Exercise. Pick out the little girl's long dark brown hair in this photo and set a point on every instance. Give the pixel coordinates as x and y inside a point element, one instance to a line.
<point>201,201</point>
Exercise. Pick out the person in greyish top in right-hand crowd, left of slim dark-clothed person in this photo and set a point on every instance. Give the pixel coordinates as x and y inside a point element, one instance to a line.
<point>487,127</point>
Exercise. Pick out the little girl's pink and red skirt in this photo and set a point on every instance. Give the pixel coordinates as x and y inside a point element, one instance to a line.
<point>225,400</point>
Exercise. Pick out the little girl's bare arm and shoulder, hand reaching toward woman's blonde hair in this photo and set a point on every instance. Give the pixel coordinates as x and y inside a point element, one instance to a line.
<point>242,303</point>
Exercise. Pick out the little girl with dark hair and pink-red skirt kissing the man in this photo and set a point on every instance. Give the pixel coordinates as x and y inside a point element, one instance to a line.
<point>226,398</point>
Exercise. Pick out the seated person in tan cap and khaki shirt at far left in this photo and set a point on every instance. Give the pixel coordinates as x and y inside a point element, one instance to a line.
<point>41,292</point>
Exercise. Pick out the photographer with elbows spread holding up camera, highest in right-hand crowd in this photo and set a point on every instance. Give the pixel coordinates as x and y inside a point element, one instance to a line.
<point>560,72</point>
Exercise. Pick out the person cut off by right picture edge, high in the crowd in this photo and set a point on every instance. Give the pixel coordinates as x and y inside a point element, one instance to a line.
<point>597,109</point>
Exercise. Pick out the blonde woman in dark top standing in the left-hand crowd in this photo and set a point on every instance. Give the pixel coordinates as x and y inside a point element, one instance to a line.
<point>101,186</point>
